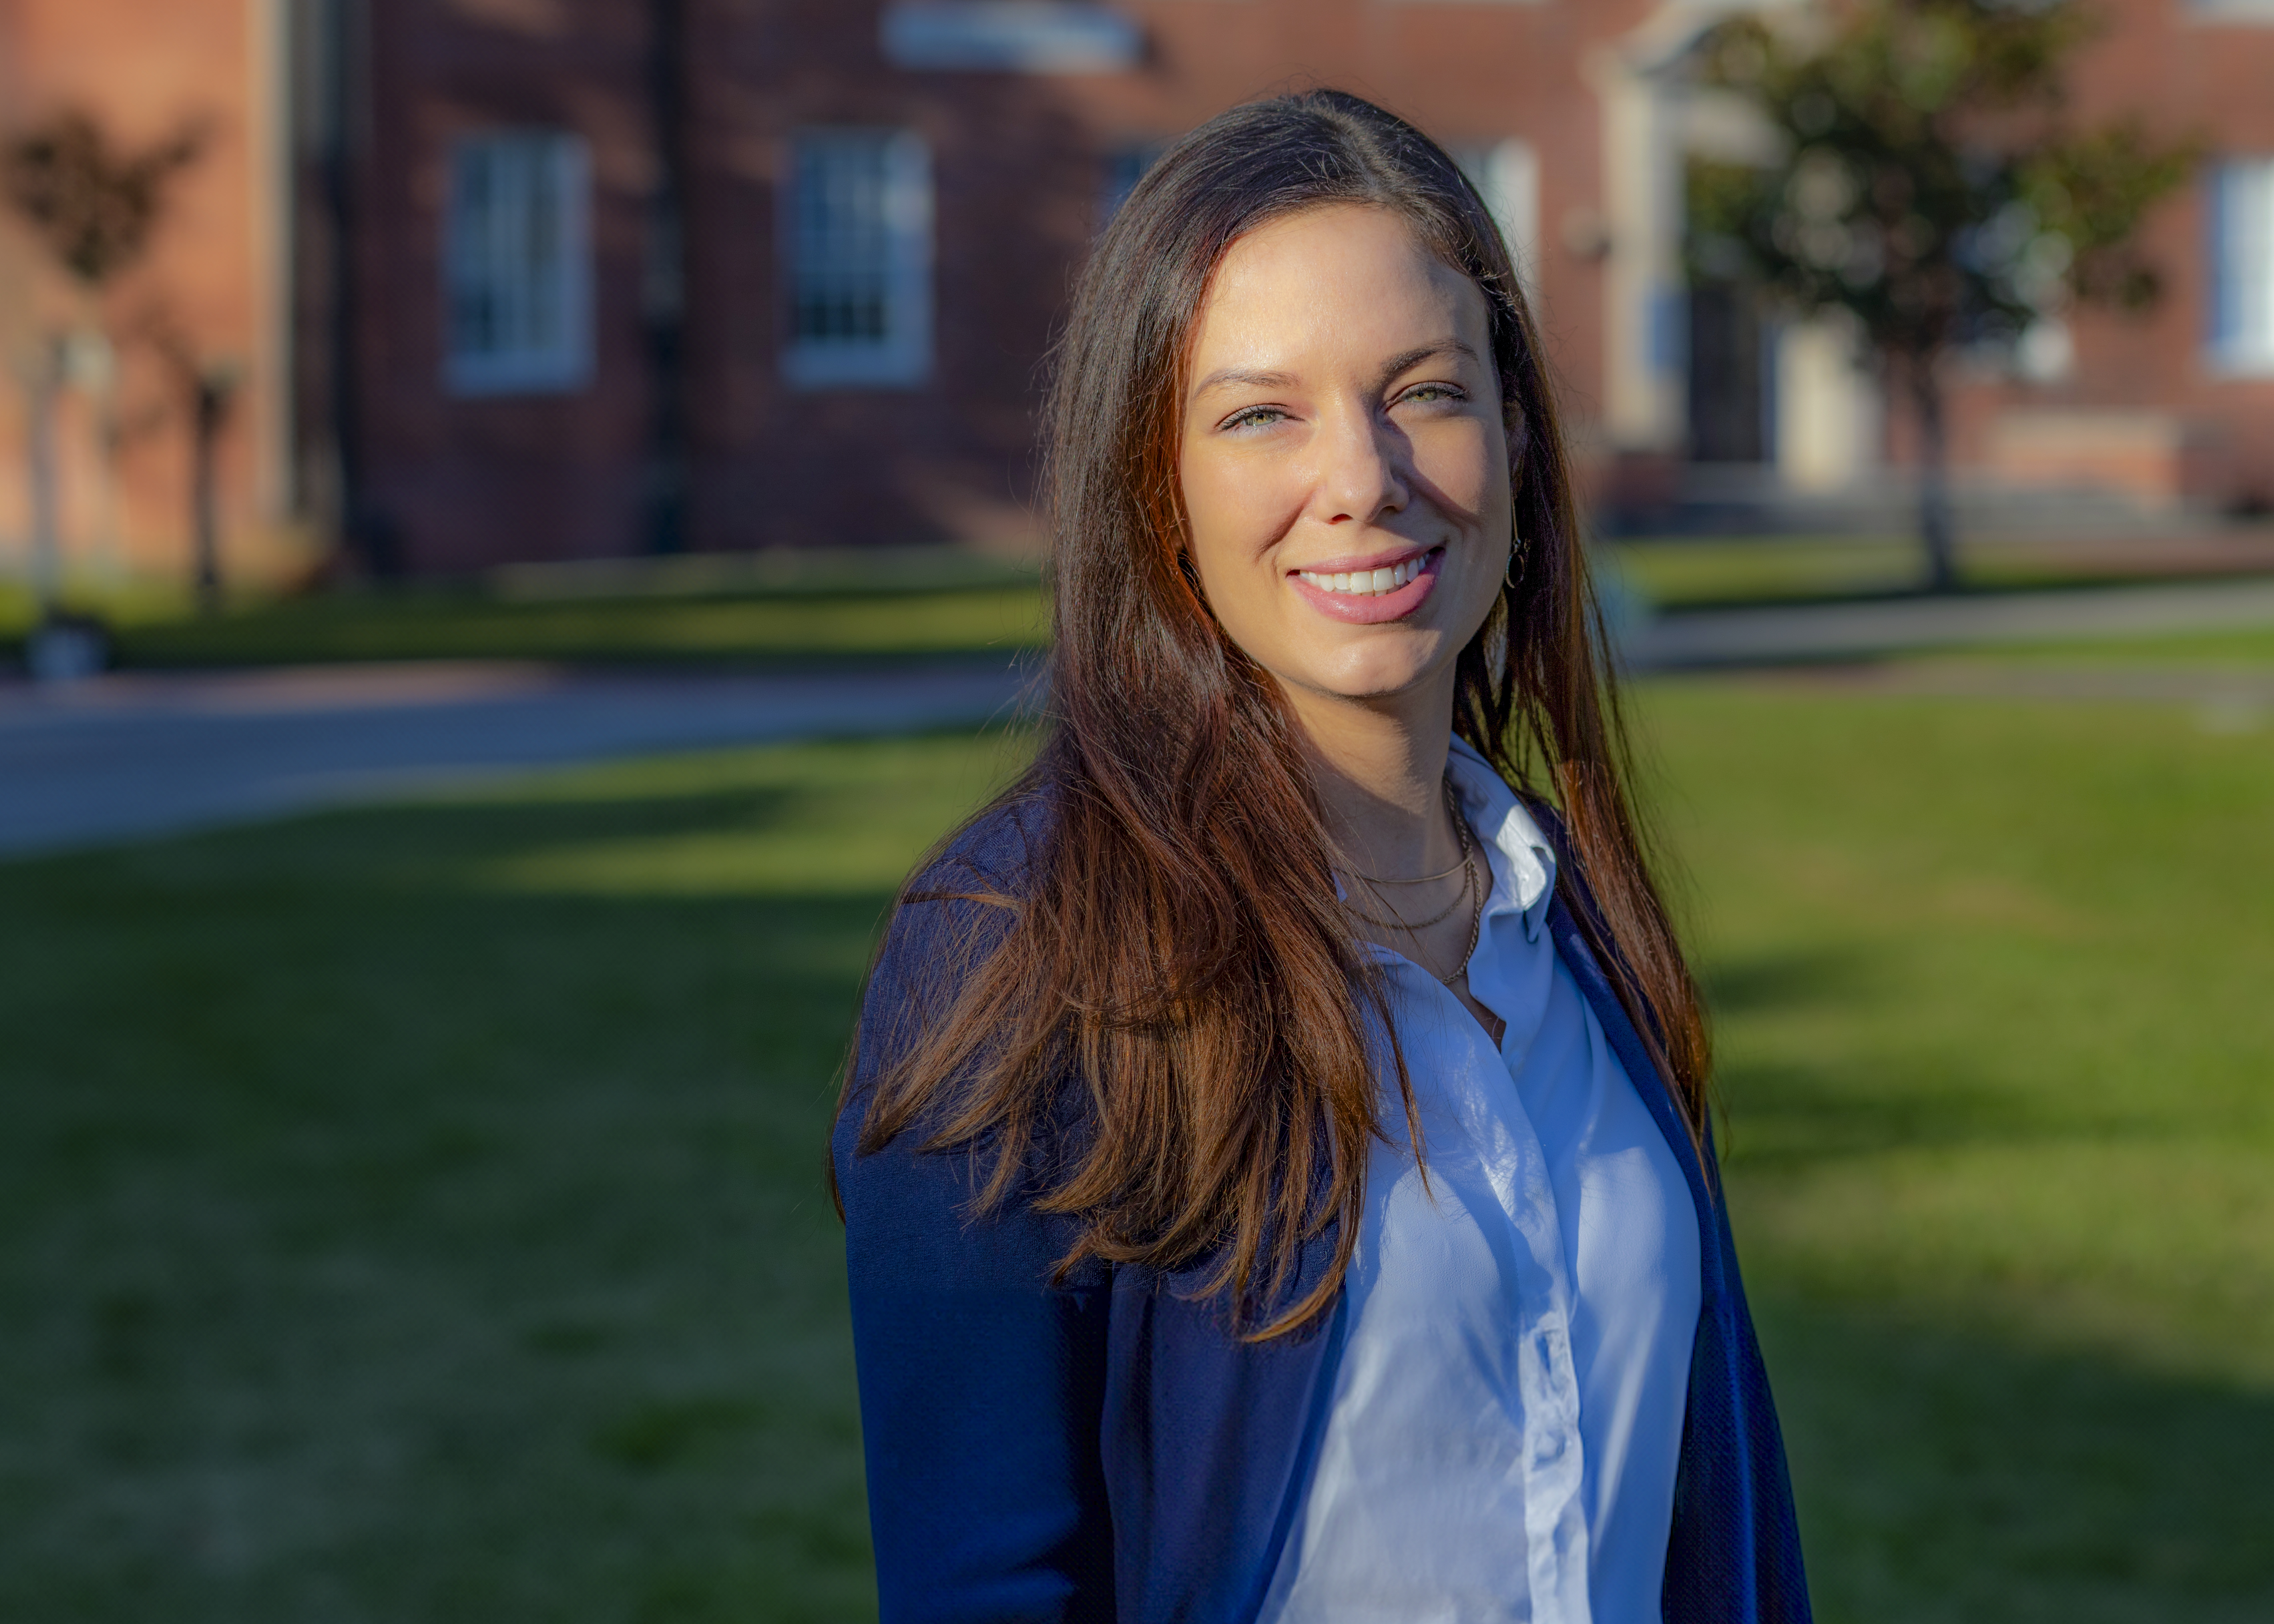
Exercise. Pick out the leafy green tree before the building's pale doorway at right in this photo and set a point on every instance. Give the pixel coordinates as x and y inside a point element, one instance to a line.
<point>1929,183</point>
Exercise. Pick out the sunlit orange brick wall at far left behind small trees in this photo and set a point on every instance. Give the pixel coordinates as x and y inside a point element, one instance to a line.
<point>213,292</point>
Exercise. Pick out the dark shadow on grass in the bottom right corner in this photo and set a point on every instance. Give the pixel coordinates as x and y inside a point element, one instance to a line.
<point>1950,1477</point>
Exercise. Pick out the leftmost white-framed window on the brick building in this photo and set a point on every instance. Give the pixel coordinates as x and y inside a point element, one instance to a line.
<point>517,265</point>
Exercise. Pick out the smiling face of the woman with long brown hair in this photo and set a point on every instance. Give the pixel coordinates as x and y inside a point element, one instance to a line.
<point>1345,461</point>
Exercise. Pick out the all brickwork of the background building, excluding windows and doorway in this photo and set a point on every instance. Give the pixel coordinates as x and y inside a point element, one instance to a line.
<point>1020,163</point>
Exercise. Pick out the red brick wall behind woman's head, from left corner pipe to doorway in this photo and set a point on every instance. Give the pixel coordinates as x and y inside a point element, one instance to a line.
<point>1018,167</point>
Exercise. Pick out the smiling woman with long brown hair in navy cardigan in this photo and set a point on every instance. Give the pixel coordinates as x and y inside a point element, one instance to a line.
<point>1275,1161</point>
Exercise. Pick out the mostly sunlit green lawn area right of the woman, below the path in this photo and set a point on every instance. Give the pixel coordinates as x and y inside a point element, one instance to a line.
<point>1998,1054</point>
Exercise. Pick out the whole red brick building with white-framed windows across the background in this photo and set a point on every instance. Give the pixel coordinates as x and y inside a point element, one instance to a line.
<point>563,279</point>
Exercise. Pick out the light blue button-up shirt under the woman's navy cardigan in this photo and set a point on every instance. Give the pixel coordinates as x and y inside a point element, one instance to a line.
<point>1509,1409</point>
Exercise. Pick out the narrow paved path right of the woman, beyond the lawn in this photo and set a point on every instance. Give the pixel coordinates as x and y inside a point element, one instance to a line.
<point>1848,631</point>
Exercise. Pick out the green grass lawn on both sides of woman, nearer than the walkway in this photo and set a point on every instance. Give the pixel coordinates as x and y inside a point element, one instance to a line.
<point>417,1213</point>
